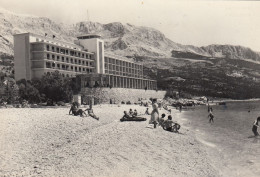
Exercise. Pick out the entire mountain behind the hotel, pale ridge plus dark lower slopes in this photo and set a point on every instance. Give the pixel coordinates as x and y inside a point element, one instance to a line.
<point>215,70</point>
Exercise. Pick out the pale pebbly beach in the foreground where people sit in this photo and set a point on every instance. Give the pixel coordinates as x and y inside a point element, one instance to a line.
<point>50,142</point>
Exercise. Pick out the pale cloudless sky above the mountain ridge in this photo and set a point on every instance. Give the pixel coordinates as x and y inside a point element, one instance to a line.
<point>193,22</point>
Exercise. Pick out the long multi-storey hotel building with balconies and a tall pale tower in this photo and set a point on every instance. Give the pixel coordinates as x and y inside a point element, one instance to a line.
<point>36,55</point>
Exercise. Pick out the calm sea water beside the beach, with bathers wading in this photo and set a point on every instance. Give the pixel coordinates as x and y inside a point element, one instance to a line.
<point>229,141</point>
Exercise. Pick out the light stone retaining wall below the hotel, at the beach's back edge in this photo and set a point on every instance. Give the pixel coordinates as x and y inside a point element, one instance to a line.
<point>104,95</point>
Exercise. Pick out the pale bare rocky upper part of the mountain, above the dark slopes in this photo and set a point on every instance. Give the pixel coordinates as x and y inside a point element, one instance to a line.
<point>125,40</point>
